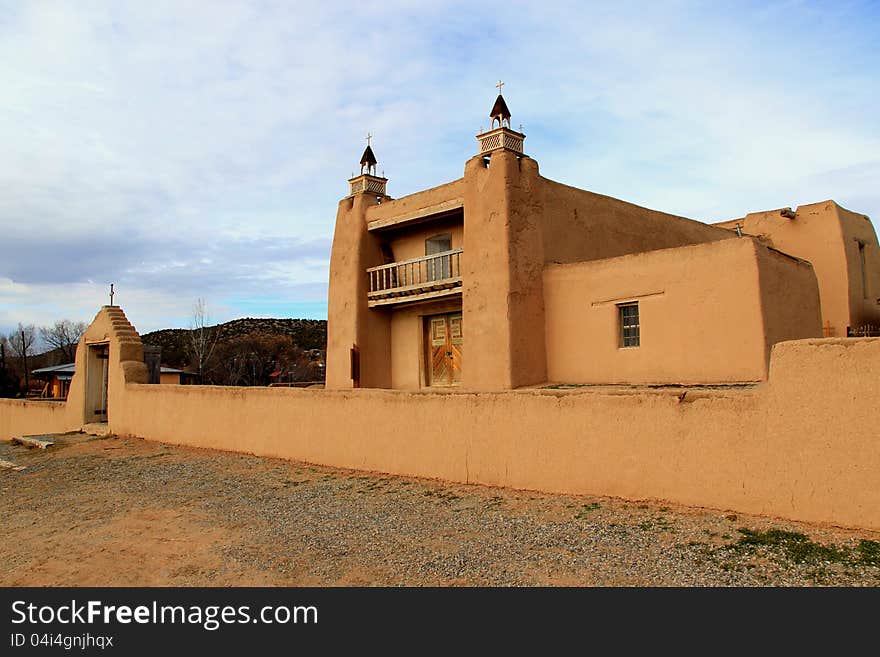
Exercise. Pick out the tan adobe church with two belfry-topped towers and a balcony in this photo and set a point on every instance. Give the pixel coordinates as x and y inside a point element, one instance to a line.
<point>504,279</point>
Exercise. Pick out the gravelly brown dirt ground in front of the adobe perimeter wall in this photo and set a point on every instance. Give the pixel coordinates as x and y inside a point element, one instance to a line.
<point>117,512</point>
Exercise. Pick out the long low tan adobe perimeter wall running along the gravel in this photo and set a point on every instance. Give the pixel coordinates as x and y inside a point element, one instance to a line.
<point>803,446</point>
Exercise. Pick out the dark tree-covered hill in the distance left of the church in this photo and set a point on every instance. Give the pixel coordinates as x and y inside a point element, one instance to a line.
<point>304,333</point>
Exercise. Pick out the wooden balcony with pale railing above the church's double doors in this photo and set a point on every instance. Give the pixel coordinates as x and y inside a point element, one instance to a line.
<point>427,277</point>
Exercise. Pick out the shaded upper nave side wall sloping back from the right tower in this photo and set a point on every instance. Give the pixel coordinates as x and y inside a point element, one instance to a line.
<point>579,225</point>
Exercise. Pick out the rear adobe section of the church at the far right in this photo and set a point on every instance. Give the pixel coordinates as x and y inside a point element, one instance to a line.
<point>825,234</point>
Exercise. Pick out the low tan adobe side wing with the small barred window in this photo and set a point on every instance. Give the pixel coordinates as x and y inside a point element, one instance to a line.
<point>701,314</point>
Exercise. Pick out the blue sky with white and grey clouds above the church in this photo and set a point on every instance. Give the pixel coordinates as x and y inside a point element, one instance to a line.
<point>188,150</point>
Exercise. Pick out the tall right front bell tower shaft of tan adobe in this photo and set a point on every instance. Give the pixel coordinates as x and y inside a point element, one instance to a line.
<point>502,292</point>
